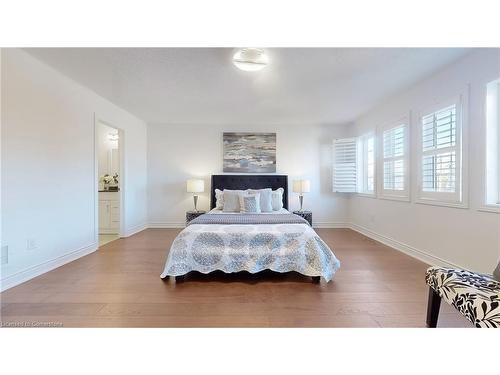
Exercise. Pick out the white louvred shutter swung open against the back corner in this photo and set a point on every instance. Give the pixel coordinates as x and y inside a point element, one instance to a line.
<point>345,165</point>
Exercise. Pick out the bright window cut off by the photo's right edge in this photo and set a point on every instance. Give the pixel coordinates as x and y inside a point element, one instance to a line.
<point>493,144</point>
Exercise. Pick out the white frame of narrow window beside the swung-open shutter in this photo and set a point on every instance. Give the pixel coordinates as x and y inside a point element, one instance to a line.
<point>363,162</point>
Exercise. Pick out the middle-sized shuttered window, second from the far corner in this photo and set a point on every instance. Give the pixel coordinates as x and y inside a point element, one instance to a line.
<point>395,161</point>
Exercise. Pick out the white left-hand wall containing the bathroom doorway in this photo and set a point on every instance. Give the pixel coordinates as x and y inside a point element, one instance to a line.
<point>48,166</point>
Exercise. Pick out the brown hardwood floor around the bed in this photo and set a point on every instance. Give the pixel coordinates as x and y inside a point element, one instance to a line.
<point>119,286</point>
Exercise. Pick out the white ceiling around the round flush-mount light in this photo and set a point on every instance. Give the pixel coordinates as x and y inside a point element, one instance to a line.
<point>200,85</point>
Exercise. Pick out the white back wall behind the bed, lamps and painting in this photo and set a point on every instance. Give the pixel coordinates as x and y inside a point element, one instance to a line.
<point>179,152</point>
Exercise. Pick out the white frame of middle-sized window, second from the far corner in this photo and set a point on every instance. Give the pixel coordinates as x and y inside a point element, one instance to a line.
<point>391,194</point>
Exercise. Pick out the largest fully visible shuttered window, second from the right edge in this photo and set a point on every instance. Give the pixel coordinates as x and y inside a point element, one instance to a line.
<point>440,154</point>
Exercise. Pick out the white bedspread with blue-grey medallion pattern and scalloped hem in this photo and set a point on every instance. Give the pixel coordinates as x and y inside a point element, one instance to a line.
<point>252,248</point>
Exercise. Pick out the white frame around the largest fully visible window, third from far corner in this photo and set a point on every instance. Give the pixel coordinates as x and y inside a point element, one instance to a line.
<point>459,198</point>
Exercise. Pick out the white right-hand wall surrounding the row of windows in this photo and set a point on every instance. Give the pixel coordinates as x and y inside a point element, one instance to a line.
<point>464,237</point>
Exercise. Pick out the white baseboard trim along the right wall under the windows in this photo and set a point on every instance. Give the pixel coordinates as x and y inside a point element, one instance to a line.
<point>421,255</point>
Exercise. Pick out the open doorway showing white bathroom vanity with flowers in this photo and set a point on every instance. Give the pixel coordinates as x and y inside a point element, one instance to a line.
<point>109,177</point>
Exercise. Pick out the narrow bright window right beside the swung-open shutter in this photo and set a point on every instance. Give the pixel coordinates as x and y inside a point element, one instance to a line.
<point>366,162</point>
